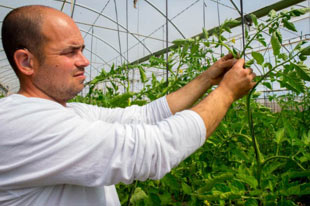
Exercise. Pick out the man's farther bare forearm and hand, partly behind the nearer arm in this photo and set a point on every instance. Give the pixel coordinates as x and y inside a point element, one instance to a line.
<point>186,96</point>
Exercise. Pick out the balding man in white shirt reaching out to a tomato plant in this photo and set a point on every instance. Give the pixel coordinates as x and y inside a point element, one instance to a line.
<point>54,153</point>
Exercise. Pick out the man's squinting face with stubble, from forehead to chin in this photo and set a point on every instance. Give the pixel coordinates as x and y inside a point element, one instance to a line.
<point>61,74</point>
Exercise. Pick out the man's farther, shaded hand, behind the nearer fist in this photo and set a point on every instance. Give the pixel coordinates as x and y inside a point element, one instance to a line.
<point>216,72</point>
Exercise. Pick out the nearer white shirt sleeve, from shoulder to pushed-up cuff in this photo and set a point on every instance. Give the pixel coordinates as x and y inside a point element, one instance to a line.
<point>53,146</point>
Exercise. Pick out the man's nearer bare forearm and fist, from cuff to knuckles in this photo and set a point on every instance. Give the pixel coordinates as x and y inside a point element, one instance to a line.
<point>235,84</point>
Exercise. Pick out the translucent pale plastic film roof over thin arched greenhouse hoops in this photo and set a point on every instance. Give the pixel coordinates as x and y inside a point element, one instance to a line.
<point>116,32</point>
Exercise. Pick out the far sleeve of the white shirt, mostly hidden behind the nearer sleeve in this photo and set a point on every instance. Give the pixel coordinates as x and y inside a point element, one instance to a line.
<point>149,113</point>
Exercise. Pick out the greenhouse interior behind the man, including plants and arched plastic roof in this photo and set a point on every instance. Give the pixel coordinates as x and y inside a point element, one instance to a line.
<point>141,50</point>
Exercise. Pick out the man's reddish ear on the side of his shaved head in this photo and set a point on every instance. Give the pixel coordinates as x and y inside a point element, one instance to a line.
<point>24,61</point>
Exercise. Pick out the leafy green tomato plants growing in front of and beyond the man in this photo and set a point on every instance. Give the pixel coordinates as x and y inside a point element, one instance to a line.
<point>256,156</point>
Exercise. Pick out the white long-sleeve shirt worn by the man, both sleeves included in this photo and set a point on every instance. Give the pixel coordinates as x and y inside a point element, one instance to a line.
<point>56,155</point>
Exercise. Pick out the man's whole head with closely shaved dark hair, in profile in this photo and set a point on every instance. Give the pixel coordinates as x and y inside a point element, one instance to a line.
<point>45,51</point>
